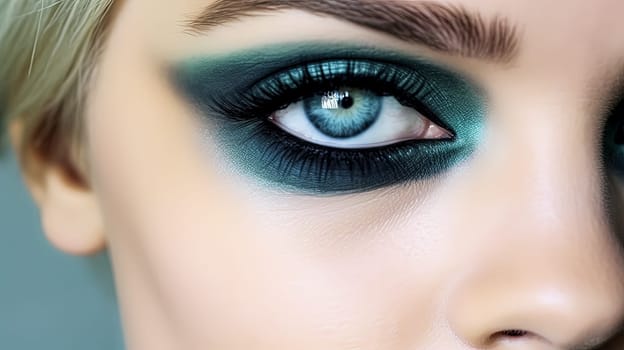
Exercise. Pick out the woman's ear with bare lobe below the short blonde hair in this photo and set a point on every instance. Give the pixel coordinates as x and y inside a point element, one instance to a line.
<point>69,212</point>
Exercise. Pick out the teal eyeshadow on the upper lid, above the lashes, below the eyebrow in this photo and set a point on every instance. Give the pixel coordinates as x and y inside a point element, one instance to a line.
<point>217,79</point>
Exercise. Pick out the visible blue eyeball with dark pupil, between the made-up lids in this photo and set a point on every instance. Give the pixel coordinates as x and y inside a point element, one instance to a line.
<point>356,119</point>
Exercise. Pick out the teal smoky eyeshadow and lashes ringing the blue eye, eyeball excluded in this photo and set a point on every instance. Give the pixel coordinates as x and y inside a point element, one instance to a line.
<point>214,85</point>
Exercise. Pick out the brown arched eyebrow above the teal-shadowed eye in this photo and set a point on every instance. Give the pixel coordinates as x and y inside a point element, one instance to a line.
<point>445,28</point>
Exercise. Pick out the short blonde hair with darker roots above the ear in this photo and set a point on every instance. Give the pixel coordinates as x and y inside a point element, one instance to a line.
<point>48,49</point>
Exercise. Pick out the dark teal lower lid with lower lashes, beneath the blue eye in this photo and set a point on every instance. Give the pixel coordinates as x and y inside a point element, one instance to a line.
<point>302,166</point>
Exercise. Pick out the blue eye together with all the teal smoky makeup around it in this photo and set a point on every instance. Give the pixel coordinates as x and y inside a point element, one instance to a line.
<point>345,92</point>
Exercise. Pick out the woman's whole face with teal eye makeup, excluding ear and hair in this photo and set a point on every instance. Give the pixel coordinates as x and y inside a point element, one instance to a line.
<point>362,174</point>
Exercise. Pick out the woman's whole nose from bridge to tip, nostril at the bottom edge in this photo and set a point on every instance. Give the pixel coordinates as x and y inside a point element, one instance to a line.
<point>543,269</point>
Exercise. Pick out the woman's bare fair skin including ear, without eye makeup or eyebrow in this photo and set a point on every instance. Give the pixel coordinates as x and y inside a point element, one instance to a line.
<point>516,238</point>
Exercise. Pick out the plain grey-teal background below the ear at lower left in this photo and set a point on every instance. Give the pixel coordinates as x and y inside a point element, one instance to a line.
<point>48,300</point>
